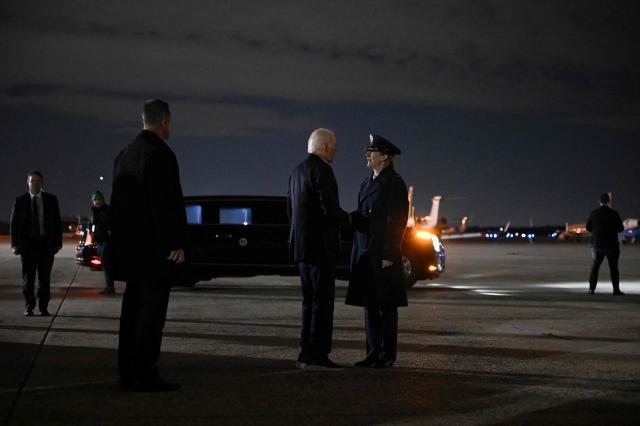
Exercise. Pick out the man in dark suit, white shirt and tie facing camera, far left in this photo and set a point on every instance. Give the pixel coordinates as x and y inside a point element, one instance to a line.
<point>36,235</point>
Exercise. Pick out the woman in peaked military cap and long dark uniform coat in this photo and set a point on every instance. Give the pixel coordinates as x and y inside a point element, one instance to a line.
<point>376,280</point>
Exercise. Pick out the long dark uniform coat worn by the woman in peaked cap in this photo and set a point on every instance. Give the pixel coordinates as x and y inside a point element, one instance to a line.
<point>379,224</point>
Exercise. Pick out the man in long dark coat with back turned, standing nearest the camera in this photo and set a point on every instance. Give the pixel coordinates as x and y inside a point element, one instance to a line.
<point>146,205</point>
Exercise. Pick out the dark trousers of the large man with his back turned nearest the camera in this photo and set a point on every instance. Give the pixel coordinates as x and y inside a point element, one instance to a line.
<point>144,309</point>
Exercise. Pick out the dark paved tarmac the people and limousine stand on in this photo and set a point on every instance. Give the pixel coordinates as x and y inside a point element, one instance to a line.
<point>506,336</point>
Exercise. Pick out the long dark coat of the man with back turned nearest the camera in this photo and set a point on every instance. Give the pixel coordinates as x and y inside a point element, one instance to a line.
<point>148,218</point>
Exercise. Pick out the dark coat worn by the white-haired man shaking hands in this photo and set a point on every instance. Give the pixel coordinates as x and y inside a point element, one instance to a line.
<point>314,212</point>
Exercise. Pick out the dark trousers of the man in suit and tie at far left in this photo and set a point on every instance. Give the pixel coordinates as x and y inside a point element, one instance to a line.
<point>37,257</point>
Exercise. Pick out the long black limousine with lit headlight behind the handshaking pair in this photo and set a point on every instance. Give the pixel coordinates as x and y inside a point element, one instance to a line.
<point>248,235</point>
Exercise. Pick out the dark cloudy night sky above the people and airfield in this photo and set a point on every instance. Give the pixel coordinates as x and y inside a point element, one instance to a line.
<point>511,110</point>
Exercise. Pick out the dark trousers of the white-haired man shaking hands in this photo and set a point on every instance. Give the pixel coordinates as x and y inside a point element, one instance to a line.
<point>318,293</point>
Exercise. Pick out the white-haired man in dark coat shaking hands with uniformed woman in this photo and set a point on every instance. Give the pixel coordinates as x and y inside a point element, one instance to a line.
<point>316,216</point>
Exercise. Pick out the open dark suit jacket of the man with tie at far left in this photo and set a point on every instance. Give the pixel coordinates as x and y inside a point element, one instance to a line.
<point>21,222</point>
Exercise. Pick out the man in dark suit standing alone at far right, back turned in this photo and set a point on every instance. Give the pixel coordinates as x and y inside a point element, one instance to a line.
<point>604,224</point>
